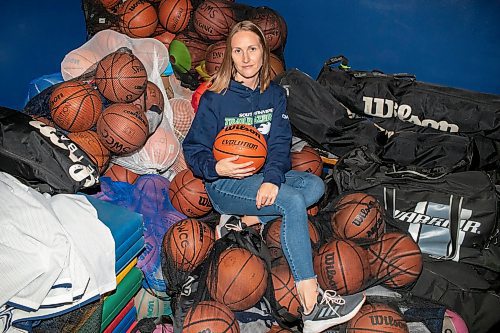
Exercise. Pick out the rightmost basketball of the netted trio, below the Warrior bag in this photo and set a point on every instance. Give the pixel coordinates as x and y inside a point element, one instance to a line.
<point>395,259</point>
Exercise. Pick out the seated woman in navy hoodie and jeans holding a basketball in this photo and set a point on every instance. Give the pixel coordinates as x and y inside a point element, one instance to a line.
<point>242,92</point>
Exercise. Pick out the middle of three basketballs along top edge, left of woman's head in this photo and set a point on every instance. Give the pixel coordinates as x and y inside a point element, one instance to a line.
<point>174,15</point>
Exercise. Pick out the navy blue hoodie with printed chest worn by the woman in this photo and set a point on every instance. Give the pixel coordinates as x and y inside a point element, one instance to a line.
<point>242,105</point>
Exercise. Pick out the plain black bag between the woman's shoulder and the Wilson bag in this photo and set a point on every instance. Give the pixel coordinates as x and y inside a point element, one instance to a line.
<point>320,119</point>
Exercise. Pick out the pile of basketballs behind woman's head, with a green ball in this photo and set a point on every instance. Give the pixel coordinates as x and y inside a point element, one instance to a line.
<point>195,36</point>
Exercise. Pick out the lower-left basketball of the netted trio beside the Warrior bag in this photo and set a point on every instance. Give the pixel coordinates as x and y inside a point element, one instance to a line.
<point>341,265</point>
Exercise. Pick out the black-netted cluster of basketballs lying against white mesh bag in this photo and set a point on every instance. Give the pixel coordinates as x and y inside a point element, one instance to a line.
<point>105,114</point>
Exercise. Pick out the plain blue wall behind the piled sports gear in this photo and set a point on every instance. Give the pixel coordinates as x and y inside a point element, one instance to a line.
<point>449,42</point>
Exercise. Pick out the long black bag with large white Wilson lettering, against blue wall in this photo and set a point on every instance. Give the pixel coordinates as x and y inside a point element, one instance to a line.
<point>399,102</point>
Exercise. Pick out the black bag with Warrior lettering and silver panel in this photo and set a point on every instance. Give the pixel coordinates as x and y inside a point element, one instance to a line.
<point>451,216</point>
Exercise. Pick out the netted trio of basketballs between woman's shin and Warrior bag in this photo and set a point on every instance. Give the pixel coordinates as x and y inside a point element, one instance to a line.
<point>361,254</point>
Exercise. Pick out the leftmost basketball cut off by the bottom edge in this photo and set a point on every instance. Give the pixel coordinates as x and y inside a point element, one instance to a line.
<point>210,316</point>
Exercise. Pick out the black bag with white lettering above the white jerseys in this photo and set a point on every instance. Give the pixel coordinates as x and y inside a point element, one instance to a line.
<point>41,156</point>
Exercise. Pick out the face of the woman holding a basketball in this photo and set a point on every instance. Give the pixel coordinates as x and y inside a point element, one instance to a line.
<point>247,54</point>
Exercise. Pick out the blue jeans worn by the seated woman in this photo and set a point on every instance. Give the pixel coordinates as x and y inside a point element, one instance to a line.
<point>300,190</point>
